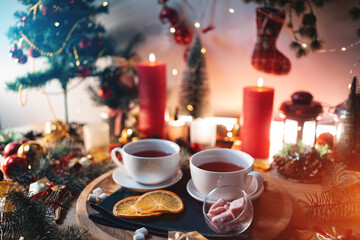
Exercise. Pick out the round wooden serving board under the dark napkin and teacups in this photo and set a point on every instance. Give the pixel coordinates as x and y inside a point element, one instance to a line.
<point>273,211</point>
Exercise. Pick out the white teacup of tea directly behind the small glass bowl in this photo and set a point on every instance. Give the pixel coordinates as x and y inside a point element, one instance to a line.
<point>223,167</point>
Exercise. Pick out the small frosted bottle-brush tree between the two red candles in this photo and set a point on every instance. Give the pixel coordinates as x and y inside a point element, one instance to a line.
<point>195,88</point>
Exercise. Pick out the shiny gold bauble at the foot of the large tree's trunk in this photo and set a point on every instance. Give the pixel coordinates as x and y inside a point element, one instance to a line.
<point>54,131</point>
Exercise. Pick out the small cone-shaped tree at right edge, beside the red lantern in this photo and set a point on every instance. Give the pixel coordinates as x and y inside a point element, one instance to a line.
<point>349,144</point>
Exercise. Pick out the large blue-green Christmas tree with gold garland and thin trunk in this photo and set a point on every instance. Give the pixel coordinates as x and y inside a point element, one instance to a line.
<point>63,31</point>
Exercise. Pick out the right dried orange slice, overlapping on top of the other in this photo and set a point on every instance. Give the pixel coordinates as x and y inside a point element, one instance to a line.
<point>159,200</point>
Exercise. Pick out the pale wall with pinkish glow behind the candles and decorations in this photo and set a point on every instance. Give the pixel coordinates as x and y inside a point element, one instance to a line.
<point>229,48</point>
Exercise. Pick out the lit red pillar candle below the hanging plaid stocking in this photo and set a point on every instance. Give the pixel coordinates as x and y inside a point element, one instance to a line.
<point>257,116</point>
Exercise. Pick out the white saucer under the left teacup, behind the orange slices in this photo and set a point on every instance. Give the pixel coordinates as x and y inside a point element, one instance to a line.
<point>121,177</point>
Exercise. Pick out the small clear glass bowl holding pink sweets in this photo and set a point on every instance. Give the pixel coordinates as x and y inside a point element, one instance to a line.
<point>241,221</point>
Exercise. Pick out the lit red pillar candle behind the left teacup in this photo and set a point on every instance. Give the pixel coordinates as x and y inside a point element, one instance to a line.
<point>152,97</point>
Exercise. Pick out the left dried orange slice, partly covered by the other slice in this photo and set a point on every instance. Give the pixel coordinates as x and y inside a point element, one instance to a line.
<point>126,208</point>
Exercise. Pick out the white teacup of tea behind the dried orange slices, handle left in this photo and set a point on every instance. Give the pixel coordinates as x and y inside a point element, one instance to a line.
<point>143,162</point>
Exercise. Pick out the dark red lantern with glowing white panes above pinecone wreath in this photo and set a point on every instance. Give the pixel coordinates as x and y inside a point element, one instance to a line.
<point>300,116</point>
